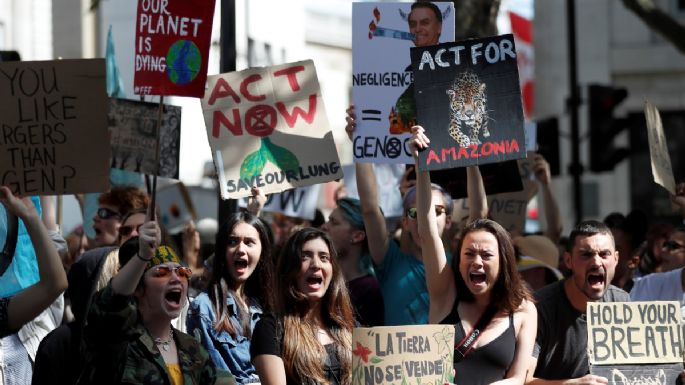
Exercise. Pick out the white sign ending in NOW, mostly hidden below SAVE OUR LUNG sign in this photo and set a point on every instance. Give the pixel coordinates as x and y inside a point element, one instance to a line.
<point>298,202</point>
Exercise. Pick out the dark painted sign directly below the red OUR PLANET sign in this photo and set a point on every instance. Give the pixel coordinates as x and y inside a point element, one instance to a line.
<point>133,128</point>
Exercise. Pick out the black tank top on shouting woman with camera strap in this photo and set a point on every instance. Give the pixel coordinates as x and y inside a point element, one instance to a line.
<point>484,364</point>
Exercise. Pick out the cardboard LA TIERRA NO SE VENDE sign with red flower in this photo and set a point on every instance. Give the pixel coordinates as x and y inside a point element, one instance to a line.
<point>416,354</point>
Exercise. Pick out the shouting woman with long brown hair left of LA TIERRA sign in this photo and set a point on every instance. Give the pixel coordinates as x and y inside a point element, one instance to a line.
<point>309,339</point>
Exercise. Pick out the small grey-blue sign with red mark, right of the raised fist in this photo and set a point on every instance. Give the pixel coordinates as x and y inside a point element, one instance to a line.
<point>175,207</point>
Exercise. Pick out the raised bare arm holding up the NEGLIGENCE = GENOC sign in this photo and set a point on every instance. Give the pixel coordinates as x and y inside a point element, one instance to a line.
<point>374,222</point>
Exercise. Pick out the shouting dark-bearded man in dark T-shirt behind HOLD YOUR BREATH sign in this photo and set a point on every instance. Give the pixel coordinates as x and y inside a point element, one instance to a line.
<point>560,353</point>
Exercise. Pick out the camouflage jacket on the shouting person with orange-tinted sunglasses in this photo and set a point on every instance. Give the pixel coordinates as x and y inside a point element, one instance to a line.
<point>119,349</point>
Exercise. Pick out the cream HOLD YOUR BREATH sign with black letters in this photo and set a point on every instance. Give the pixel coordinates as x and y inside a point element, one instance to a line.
<point>634,332</point>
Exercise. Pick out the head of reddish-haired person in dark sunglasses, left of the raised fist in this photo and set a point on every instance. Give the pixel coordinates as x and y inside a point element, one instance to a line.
<point>112,208</point>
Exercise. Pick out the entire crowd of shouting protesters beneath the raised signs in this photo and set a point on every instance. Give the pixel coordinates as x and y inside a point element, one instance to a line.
<point>274,300</point>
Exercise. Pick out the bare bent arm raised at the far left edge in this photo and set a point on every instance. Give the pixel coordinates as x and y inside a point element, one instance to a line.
<point>30,302</point>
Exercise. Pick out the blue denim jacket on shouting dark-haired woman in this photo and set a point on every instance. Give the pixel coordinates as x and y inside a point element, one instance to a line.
<point>226,352</point>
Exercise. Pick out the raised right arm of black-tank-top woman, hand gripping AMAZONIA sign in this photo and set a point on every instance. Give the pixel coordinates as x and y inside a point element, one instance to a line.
<point>439,276</point>
